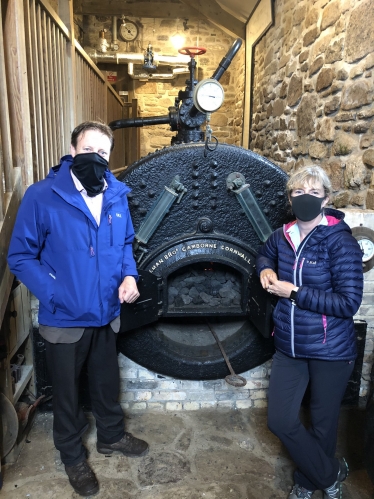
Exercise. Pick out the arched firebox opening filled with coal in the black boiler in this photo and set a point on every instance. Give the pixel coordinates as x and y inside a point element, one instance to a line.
<point>206,288</point>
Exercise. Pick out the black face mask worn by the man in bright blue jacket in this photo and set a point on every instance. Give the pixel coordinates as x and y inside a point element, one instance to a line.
<point>89,169</point>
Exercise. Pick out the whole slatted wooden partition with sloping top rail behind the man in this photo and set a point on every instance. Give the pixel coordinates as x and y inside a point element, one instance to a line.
<point>48,85</point>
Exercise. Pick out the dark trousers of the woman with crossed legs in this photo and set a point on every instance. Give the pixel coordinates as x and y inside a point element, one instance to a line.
<point>312,449</point>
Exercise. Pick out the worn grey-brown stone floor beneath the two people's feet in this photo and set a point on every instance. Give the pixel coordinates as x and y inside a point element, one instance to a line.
<point>211,454</point>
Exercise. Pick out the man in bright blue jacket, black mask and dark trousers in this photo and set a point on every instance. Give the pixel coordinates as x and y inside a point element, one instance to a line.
<point>72,247</point>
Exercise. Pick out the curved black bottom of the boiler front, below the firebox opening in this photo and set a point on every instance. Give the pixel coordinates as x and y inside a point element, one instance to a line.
<point>184,348</point>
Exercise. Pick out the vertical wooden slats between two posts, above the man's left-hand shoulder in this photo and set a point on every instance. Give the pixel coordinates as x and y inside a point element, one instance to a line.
<point>47,59</point>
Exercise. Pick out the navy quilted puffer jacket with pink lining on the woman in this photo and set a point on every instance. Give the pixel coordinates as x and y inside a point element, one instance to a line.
<point>327,268</point>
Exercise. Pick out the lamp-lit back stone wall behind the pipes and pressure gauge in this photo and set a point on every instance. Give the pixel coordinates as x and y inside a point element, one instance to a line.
<point>155,96</point>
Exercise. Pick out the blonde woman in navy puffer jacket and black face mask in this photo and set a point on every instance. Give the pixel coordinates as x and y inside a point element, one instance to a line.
<point>314,266</point>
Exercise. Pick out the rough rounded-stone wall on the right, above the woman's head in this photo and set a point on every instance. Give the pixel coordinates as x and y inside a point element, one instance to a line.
<point>313,93</point>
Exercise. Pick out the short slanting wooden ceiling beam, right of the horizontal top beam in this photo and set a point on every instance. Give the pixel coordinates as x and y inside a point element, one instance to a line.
<point>216,15</point>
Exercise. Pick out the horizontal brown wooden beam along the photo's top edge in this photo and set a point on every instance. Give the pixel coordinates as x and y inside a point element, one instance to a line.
<point>166,10</point>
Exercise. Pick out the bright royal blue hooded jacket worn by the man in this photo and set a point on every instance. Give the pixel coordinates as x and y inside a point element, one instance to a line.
<point>72,265</point>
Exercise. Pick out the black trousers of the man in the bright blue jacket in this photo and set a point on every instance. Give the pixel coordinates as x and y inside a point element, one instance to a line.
<point>97,347</point>
